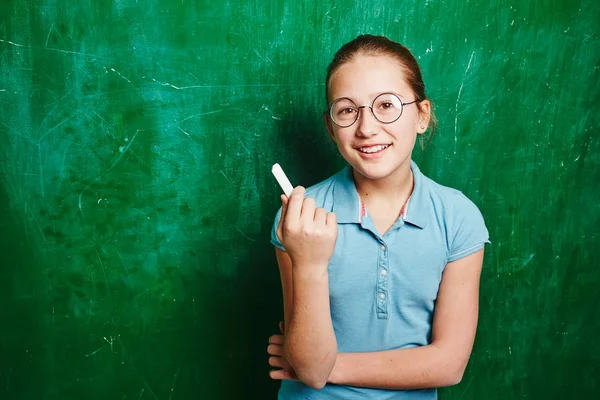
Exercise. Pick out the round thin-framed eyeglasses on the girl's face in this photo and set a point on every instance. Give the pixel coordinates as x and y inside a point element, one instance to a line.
<point>386,108</point>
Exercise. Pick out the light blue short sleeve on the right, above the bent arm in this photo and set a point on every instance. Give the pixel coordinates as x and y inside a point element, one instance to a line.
<point>468,231</point>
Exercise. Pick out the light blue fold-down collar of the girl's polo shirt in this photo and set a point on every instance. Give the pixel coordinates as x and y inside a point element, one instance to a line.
<point>346,204</point>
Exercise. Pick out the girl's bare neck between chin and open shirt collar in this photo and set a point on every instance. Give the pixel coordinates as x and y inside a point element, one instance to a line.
<point>394,188</point>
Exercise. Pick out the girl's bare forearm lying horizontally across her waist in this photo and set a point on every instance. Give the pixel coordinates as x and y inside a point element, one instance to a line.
<point>423,367</point>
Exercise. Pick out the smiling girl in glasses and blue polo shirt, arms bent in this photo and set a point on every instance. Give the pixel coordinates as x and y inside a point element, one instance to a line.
<point>379,264</point>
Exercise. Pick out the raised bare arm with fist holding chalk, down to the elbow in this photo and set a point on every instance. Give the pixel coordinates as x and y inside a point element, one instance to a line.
<point>310,345</point>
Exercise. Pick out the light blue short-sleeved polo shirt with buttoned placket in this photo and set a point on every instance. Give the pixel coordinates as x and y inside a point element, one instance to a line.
<point>383,288</point>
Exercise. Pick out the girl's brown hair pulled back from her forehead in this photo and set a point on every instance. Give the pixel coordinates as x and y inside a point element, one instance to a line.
<point>377,46</point>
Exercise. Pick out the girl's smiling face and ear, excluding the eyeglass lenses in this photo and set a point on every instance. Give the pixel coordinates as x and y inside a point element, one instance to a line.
<point>361,80</point>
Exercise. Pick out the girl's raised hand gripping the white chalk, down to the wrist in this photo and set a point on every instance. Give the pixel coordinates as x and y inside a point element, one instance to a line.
<point>307,233</point>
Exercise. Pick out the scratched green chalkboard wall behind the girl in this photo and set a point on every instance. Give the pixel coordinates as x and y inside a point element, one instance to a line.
<point>136,201</point>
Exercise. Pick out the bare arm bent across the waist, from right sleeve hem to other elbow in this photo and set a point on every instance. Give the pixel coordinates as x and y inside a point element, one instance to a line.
<point>441,363</point>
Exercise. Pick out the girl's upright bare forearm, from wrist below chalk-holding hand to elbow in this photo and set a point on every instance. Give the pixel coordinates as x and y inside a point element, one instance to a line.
<point>310,342</point>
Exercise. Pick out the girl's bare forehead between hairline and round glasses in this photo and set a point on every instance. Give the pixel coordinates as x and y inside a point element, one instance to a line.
<point>365,76</point>
